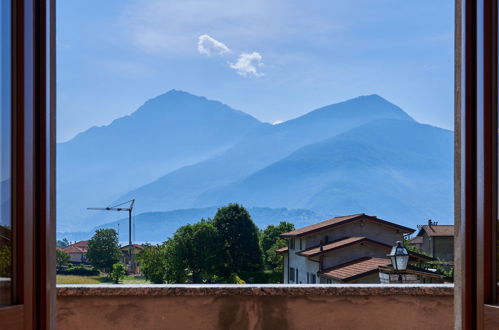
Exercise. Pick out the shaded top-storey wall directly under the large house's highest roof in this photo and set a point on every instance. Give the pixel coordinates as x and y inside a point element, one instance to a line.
<point>360,228</point>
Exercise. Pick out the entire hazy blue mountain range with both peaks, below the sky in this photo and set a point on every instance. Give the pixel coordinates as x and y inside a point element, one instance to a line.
<point>181,152</point>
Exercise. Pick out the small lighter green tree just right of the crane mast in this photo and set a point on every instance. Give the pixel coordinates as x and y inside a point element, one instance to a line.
<point>153,263</point>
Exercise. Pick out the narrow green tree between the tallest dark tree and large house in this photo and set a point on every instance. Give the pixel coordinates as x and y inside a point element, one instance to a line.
<point>270,241</point>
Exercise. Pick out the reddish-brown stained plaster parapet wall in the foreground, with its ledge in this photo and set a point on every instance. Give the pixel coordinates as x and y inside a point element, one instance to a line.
<point>321,307</point>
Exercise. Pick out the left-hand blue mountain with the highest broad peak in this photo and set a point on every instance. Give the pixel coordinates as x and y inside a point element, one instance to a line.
<point>167,132</point>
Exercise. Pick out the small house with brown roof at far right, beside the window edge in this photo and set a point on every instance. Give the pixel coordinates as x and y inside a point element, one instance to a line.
<point>436,240</point>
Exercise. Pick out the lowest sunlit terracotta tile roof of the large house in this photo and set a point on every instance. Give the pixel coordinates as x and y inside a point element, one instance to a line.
<point>355,269</point>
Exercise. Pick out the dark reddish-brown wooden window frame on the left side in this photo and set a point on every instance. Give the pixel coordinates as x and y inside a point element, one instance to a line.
<point>33,166</point>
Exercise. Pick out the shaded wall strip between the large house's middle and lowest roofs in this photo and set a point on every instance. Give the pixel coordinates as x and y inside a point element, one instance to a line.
<point>353,252</point>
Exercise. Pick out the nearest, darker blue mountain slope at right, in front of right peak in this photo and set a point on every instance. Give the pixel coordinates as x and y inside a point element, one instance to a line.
<point>400,170</point>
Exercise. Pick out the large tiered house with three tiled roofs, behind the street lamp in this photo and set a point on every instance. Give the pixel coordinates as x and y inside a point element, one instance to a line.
<point>345,249</point>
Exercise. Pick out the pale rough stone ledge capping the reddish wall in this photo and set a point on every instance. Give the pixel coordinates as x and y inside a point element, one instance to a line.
<point>92,290</point>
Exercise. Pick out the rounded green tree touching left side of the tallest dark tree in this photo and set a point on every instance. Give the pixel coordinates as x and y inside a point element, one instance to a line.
<point>194,251</point>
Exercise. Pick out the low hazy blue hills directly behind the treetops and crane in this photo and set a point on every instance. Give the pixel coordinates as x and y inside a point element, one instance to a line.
<point>155,227</point>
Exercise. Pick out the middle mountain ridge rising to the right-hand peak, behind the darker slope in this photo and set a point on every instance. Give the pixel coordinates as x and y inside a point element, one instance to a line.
<point>263,146</point>
